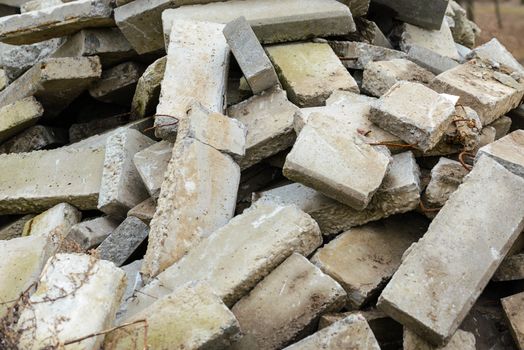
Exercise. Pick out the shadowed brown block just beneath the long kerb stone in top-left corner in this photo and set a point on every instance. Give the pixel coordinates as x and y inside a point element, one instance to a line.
<point>109,44</point>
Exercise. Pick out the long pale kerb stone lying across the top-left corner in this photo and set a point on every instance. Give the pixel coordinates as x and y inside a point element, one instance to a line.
<point>53,22</point>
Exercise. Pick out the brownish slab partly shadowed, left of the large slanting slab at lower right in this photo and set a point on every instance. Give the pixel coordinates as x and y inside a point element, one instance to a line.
<point>363,258</point>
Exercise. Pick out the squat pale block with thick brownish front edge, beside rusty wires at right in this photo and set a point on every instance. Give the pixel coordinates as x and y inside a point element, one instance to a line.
<point>415,113</point>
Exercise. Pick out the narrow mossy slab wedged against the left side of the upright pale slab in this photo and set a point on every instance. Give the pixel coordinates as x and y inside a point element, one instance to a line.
<point>147,90</point>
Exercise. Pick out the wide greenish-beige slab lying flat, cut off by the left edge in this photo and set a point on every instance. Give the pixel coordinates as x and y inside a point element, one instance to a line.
<point>36,181</point>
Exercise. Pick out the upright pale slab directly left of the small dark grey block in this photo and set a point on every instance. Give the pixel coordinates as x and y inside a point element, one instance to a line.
<point>196,71</point>
